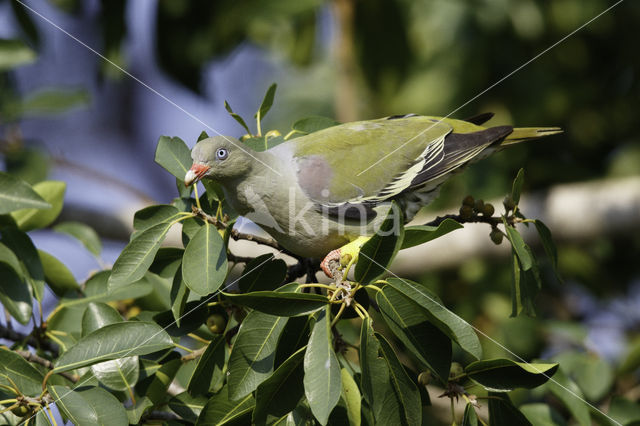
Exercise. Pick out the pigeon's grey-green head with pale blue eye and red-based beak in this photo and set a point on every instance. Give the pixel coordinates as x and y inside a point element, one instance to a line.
<point>220,158</point>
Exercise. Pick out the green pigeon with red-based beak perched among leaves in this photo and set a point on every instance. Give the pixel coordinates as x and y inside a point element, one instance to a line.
<point>324,194</point>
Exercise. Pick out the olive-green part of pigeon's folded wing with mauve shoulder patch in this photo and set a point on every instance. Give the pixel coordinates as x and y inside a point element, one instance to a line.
<point>367,162</point>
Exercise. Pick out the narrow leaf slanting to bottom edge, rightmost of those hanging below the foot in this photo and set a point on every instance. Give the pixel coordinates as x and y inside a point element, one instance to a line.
<point>405,390</point>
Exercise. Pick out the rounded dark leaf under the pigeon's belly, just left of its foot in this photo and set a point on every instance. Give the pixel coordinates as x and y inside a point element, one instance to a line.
<point>262,273</point>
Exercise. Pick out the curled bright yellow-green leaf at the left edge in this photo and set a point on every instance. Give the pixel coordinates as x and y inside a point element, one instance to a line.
<point>53,193</point>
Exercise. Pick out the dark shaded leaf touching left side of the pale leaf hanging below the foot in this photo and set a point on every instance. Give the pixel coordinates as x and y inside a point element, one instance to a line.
<point>281,392</point>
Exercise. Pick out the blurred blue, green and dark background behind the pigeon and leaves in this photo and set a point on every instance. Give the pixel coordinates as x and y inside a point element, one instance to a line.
<point>68,114</point>
